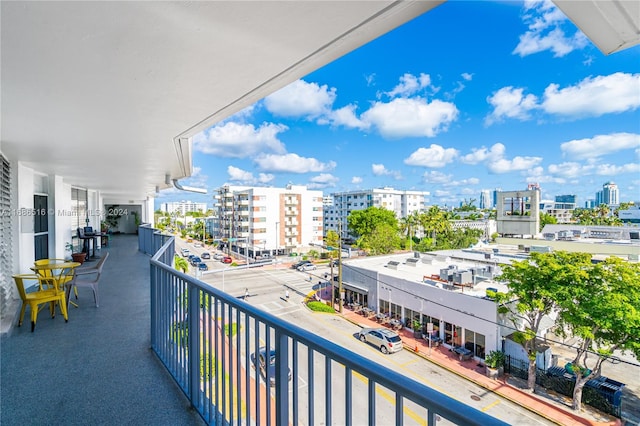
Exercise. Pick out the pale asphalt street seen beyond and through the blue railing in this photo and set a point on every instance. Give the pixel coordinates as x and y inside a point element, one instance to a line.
<point>267,288</point>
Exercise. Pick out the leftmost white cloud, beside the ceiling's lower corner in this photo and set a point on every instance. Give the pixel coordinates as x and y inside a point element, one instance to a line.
<point>239,140</point>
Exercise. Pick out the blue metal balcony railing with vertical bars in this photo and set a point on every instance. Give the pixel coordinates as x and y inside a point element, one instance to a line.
<point>168,289</point>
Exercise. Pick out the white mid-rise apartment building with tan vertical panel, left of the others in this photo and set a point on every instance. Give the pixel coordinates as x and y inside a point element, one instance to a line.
<point>260,220</point>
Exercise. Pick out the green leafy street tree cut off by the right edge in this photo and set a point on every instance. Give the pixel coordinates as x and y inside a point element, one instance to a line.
<point>602,309</point>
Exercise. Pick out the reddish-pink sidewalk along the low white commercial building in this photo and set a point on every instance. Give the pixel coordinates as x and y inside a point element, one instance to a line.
<point>552,409</point>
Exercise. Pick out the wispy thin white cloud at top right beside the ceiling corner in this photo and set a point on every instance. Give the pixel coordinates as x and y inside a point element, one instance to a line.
<point>544,21</point>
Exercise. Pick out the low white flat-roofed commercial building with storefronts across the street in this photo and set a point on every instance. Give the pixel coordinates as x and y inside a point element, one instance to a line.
<point>451,290</point>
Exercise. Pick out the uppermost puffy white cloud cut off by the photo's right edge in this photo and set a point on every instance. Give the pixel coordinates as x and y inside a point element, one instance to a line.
<point>594,96</point>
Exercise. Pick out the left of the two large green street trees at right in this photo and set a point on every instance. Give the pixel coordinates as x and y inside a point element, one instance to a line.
<point>535,287</point>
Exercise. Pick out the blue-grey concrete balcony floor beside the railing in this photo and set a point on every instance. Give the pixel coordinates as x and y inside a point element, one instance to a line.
<point>98,368</point>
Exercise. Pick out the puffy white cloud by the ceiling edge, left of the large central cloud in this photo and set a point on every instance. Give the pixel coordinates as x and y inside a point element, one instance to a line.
<point>301,99</point>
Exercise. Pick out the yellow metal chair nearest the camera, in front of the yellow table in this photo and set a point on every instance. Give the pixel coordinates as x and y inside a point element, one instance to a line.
<point>36,298</point>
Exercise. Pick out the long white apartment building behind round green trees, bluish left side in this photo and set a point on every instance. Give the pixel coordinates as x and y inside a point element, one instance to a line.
<point>402,203</point>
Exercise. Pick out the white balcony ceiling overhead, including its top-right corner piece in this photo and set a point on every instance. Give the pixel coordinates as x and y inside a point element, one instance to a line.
<point>102,92</point>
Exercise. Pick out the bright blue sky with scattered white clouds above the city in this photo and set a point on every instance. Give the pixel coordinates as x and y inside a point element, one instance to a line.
<point>470,96</point>
